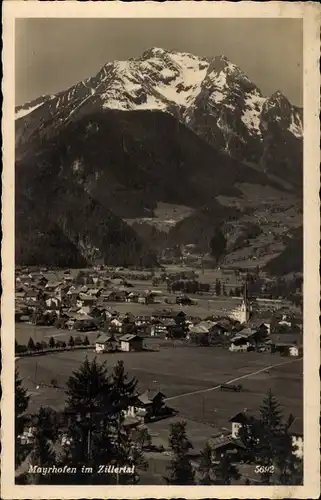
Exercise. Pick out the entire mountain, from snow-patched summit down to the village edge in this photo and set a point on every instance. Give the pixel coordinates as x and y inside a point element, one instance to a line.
<point>156,152</point>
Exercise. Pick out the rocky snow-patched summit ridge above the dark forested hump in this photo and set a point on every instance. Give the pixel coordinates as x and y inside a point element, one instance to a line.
<point>213,97</point>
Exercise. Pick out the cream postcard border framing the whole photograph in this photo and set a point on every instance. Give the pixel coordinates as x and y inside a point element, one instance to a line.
<point>310,12</point>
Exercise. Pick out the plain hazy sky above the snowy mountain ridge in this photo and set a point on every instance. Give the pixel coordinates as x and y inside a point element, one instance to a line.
<point>53,54</point>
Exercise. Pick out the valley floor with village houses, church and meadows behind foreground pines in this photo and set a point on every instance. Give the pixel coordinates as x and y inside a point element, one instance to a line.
<point>206,346</point>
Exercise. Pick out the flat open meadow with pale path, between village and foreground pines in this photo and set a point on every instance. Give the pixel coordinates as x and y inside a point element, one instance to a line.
<point>188,376</point>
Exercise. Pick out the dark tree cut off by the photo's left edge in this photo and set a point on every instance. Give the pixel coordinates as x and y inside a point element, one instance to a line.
<point>21,405</point>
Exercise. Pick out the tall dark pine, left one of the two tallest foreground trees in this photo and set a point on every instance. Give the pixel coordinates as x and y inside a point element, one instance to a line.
<point>89,412</point>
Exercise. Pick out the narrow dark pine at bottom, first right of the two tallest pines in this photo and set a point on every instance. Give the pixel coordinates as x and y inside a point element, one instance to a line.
<point>181,471</point>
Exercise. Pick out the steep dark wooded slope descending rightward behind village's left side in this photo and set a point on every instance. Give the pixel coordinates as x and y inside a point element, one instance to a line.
<point>58,222</point>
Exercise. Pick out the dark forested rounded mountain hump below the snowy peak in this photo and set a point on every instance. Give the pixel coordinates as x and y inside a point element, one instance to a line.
<point>116,164</point>
